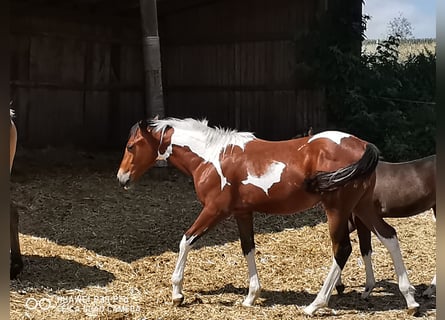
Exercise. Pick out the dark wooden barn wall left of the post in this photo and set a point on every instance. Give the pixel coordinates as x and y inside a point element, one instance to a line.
<point>75,79</point>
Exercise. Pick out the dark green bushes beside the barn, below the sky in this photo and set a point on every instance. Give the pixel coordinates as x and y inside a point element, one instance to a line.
<point>382,99</point>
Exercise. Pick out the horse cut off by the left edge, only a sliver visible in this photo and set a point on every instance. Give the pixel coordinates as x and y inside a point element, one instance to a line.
<point>16,256</point>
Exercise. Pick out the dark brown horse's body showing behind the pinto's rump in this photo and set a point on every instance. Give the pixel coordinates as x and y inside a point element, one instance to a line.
<point>407,188</point>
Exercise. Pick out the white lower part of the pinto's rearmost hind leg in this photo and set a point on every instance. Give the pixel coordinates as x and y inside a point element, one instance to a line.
<point>392,244</point>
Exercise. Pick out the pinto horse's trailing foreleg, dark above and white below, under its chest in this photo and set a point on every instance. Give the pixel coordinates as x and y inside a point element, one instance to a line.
<point>245,227</point>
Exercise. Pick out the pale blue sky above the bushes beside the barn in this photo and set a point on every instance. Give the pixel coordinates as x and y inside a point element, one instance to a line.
<point>420,13</point>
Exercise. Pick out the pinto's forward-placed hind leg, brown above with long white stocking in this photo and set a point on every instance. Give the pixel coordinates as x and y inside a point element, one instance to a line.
<point>341,245</point>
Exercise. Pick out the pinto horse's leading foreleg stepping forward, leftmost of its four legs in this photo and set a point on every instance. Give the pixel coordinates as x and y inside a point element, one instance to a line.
<point>207,219</point>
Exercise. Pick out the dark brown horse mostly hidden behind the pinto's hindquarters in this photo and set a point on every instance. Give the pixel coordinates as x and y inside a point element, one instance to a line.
<point>402,190</point>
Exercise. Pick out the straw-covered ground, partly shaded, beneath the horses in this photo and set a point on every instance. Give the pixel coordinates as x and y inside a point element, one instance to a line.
<point>93,251</point>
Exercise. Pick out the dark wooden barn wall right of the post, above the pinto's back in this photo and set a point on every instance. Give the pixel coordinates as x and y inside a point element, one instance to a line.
<point>235,63</point>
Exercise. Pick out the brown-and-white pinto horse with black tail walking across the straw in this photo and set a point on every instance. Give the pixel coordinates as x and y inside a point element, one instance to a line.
<point>235,173</point>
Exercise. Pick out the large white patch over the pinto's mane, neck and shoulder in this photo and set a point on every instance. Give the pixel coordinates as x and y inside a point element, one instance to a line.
<point>207,143</point>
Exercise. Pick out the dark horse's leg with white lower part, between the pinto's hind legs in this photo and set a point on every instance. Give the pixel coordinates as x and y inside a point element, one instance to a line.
<point>364,236</point>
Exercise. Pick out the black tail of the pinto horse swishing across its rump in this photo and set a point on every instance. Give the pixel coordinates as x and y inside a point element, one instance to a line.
<point>331,181</point>
